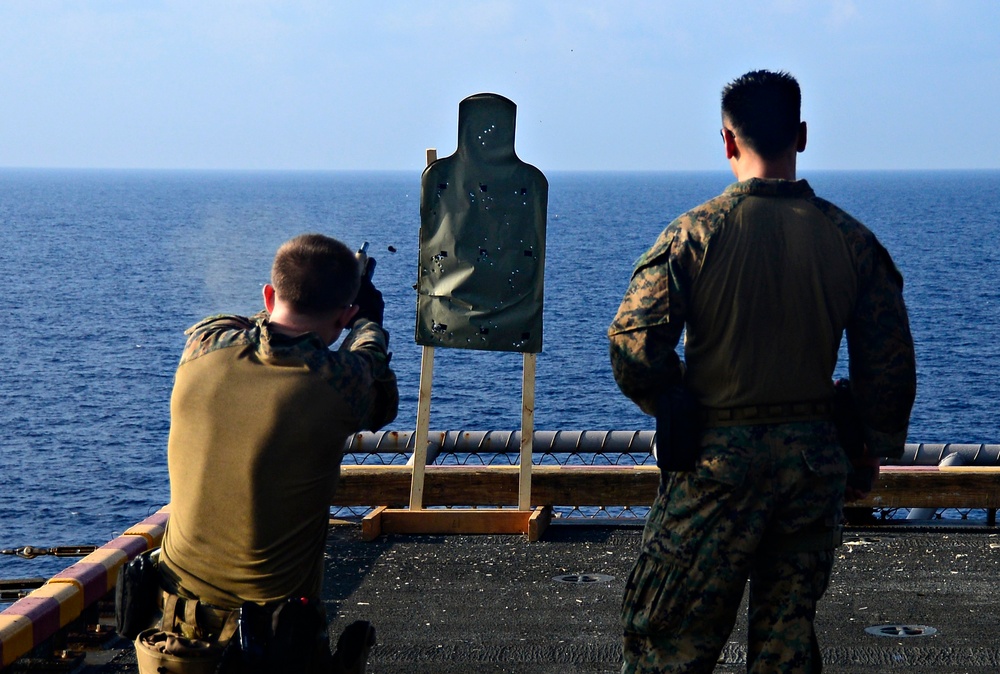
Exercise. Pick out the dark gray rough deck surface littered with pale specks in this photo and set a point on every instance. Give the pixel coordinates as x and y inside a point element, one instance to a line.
<point>450,604</point>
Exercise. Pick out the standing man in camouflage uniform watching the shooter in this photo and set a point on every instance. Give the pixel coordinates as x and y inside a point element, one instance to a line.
<point>763,281</point>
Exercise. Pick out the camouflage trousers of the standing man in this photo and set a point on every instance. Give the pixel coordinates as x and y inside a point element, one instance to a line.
<point>763,504</point>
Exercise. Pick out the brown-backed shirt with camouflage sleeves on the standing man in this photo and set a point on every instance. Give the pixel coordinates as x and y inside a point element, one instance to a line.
<point>765,279</point>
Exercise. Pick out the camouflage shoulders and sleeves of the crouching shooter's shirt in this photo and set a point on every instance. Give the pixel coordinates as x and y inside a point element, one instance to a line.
<point>359,365</point>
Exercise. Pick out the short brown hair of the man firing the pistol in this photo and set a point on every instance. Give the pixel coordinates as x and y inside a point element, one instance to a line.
<point>315,274</point>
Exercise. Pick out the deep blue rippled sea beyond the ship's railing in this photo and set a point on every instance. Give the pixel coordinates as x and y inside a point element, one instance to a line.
<point>103,270</point>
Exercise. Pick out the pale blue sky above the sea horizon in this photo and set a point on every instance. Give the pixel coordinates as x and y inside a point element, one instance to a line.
<point>325,84</point>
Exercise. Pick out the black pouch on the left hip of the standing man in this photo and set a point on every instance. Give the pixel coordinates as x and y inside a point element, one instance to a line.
<point>678,430</point>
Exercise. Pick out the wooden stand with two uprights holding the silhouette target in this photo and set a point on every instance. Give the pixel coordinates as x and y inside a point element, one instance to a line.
<point>420,520</point>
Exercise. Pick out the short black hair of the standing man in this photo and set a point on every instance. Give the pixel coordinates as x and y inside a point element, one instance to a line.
<point>763,108</point>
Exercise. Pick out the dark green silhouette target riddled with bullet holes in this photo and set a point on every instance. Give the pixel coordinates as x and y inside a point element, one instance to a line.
<point>480,278</point>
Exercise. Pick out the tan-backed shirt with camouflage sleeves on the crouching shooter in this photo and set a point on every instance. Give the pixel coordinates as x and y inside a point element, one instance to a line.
<point>258,426</point>
